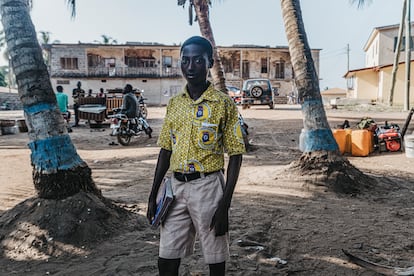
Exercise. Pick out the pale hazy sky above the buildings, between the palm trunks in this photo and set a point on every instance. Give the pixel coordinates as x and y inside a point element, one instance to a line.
<point>330,25</point>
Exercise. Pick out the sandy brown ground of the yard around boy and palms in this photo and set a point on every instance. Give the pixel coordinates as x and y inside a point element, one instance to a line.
<point>296,230</point>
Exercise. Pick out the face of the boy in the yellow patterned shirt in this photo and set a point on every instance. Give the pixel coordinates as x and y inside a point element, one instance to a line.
<point>194,64</point>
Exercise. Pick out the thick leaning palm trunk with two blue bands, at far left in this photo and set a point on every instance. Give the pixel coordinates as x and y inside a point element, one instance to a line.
<point>58,171</point>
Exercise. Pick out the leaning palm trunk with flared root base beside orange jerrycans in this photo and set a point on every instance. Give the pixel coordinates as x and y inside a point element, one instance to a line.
<point>320,151</point>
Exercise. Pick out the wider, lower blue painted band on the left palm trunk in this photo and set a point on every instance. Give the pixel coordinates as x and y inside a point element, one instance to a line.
<point>54,153</point>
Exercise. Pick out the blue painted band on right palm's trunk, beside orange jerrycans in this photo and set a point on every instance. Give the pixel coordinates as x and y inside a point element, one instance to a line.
<point>318,139</point>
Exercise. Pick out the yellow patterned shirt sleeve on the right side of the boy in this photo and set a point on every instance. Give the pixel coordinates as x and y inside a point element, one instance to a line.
<point>233,137</point>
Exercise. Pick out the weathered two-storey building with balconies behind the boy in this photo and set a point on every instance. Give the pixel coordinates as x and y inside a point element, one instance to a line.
<point>158,60</point>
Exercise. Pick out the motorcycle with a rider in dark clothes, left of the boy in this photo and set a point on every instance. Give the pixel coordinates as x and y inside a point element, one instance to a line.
<point>124,128</point>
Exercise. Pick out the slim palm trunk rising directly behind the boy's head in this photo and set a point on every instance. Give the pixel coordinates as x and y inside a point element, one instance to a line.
<point>201,8</point>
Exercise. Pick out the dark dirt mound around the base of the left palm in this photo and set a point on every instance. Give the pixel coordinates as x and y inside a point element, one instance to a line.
<point>46,227</point>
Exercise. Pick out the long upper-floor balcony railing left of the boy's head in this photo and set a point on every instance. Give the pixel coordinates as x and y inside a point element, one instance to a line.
<point>120,72</point>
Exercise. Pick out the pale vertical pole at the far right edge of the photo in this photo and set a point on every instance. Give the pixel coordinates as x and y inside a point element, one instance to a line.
<point>407,56</point>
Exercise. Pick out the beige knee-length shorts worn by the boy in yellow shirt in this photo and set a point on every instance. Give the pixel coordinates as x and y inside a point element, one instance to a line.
<point>195,204</point>
